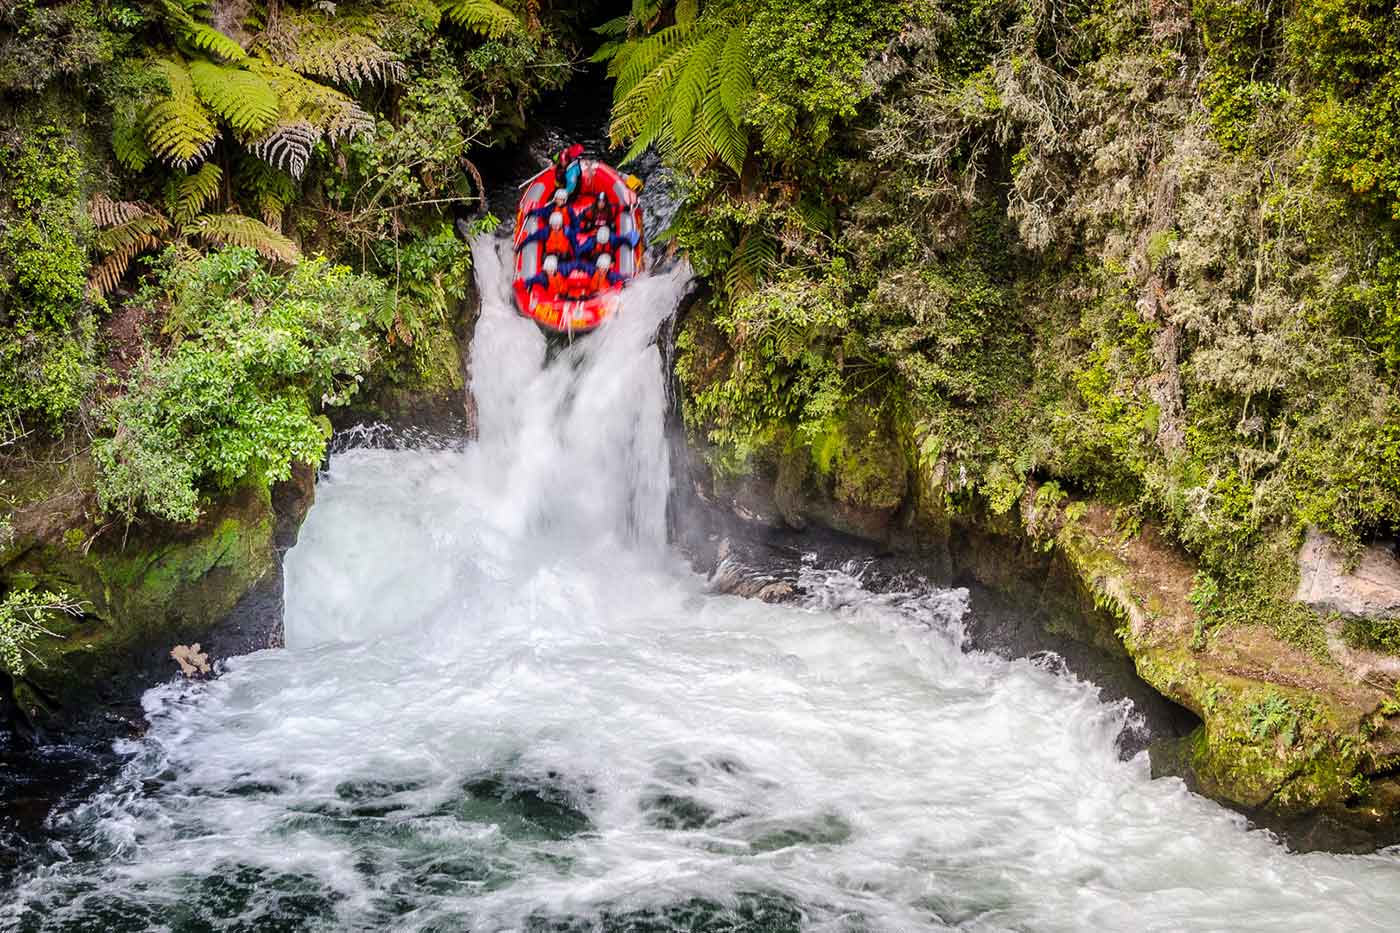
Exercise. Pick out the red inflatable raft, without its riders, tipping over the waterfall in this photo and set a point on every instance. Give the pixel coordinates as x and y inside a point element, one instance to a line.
<point>570,306</point>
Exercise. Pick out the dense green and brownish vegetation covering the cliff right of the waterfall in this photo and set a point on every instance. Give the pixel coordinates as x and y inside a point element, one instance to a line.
<point>1146,251</point>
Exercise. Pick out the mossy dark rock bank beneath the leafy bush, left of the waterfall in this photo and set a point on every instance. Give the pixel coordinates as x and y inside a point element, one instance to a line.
<point>142,593</point>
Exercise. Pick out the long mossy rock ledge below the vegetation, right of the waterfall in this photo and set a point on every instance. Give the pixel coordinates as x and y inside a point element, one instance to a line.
<point>1304,742</point>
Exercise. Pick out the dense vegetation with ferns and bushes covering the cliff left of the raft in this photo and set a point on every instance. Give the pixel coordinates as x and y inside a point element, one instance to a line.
<point>220,221</point>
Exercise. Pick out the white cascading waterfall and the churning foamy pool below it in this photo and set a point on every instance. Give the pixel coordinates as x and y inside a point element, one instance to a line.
<point>505,705</point>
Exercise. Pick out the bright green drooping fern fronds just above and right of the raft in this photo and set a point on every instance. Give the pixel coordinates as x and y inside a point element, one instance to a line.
<point>685,90</point>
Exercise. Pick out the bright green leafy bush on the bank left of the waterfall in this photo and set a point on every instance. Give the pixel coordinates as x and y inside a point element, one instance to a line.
<point>253,358</point>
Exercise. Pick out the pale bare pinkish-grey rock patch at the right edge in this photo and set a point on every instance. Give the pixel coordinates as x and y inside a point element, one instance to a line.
<point>1329,582</point>
